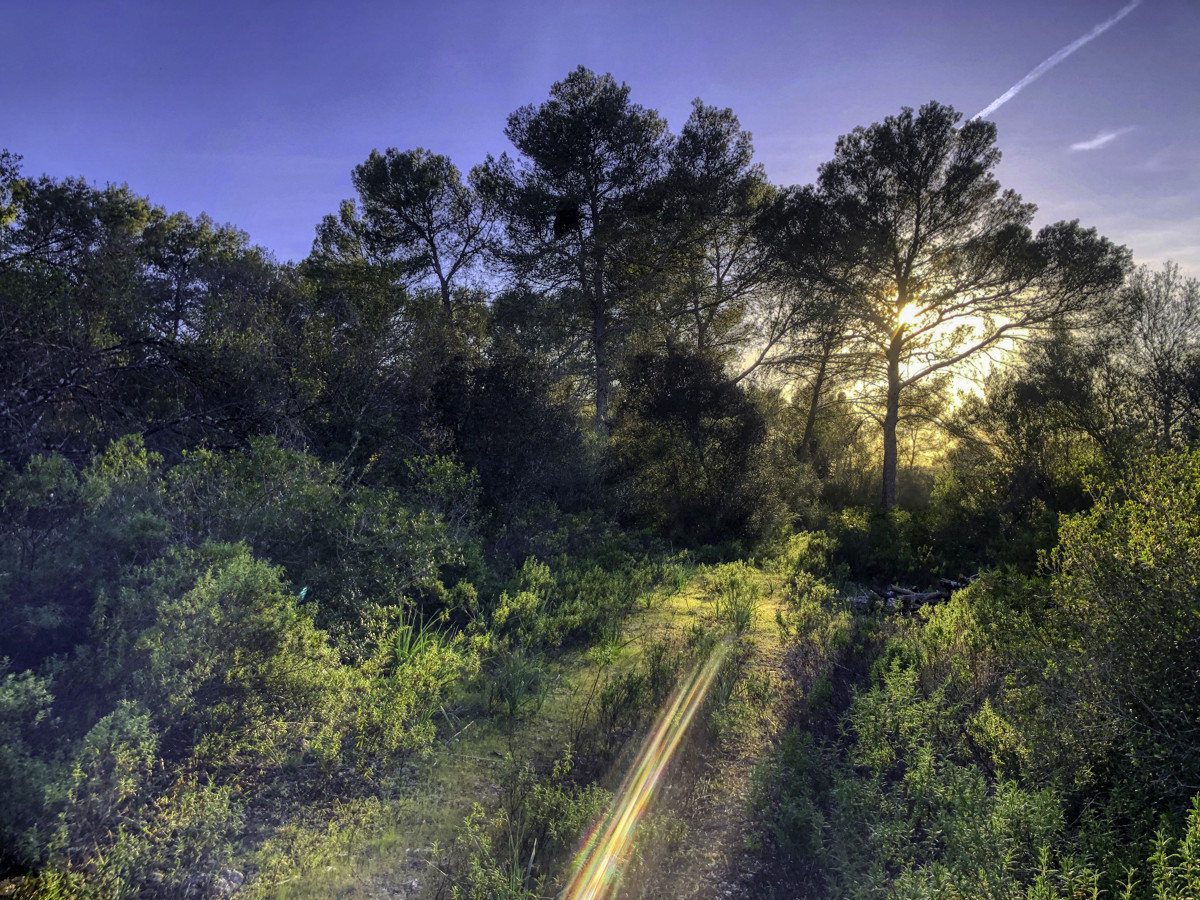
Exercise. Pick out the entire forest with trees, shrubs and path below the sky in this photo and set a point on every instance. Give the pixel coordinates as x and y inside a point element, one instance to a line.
<point>603,521</point>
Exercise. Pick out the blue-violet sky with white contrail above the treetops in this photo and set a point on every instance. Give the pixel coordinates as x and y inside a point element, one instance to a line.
<point>257,112</point>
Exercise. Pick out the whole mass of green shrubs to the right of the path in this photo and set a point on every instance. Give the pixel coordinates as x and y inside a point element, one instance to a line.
<point>1019,740</point>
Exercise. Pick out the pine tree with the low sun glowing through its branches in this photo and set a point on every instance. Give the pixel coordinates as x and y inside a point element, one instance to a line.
<point>938,265</point>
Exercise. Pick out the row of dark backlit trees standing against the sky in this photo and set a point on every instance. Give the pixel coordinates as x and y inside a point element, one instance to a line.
<point>602,243</point>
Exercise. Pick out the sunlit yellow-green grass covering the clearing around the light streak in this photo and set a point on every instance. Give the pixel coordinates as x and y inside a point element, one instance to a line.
<point>591,698</point>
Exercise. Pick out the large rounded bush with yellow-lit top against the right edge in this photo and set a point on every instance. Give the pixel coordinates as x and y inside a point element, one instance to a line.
<point>1125,585</point>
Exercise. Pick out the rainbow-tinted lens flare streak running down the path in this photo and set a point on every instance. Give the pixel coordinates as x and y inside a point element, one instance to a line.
<point>597,865</point>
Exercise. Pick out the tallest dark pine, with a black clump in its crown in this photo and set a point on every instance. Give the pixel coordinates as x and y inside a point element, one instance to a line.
<point>590,149</point>
